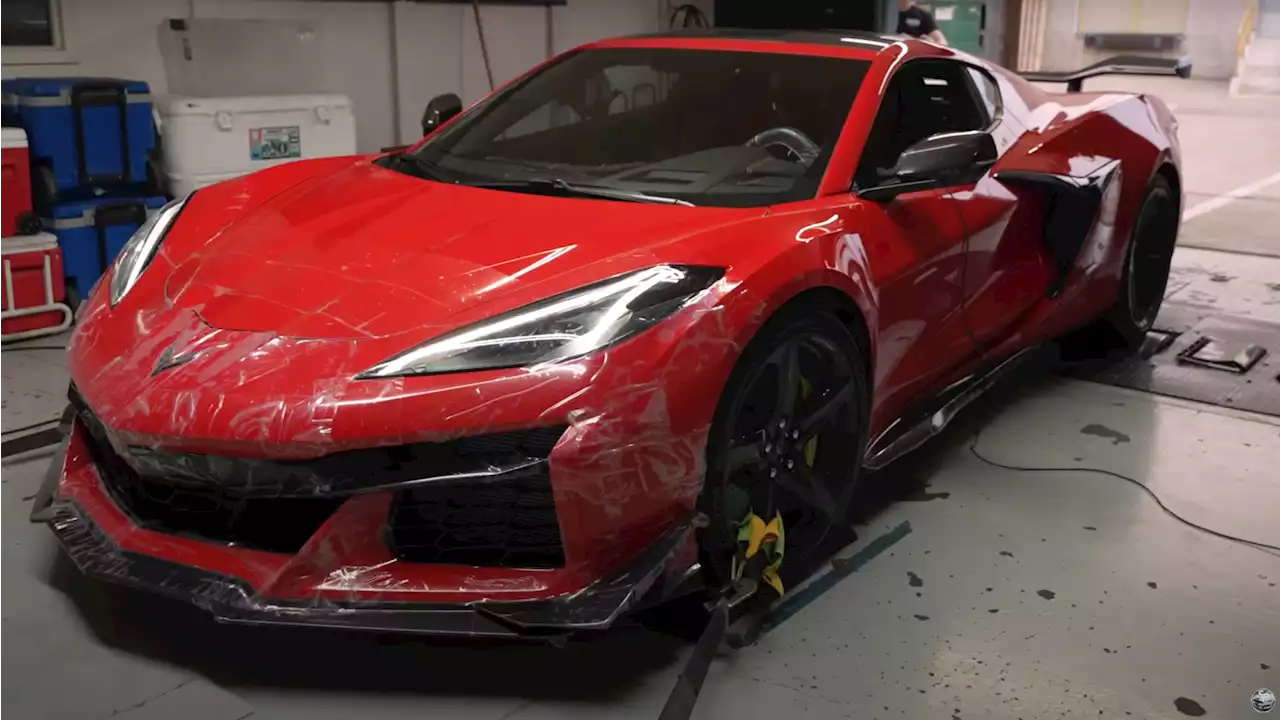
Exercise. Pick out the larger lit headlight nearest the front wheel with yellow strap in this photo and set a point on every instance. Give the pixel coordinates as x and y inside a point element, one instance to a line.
<point>557,329</point>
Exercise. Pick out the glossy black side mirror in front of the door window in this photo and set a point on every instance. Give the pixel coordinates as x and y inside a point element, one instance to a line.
<point>939,161</point>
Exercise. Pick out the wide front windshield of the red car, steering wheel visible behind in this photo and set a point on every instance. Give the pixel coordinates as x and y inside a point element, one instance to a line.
<point>701,127</point>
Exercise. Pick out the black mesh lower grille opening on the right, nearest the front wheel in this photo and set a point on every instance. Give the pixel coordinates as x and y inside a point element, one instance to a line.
<point>506,523</point>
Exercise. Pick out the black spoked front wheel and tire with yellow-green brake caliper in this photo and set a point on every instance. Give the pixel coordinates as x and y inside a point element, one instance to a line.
<point>788,439</point>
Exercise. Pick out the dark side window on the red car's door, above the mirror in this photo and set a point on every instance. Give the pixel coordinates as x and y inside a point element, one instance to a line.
<point>925,98</point>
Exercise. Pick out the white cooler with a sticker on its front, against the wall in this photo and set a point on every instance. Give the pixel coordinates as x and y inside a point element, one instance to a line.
<point>209,140</point>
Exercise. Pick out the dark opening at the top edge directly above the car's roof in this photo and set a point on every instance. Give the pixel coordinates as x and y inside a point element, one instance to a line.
<point>799,15</point>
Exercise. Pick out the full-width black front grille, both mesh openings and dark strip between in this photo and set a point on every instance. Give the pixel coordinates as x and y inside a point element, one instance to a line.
<point>509,521</point>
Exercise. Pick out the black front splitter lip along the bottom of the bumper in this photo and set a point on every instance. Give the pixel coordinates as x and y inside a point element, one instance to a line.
<point>660,572</point>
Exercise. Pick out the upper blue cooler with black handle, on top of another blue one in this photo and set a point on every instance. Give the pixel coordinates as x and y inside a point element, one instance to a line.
<point>86,135</point>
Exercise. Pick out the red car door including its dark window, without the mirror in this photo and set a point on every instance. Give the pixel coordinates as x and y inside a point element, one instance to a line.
<point>917,240</point>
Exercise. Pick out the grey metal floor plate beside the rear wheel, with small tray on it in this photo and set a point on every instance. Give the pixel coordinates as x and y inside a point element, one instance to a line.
<point>1200,354</point>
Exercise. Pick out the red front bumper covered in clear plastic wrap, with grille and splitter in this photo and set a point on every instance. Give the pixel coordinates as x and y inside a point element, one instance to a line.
<point>464,504</point>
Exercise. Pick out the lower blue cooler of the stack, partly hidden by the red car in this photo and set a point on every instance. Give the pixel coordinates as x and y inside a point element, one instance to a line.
<point>93,233</point>
